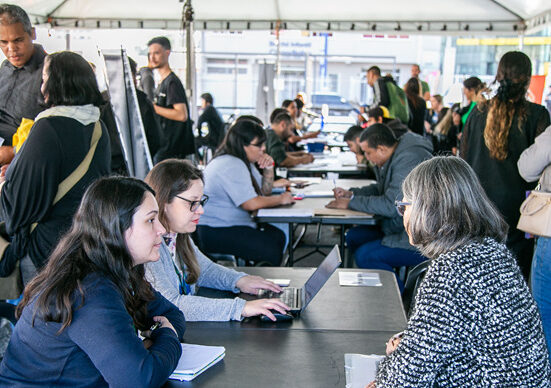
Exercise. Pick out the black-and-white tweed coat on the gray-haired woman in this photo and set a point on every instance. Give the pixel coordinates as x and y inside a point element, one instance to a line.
<point>475,324</point>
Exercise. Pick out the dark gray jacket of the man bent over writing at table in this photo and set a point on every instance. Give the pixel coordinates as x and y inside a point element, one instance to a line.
<point>379,197</point>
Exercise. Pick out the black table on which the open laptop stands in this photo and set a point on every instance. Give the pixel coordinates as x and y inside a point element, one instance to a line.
<point>335,307</point>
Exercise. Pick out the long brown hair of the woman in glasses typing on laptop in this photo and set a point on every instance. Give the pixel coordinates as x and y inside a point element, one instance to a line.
<point>170,178</point>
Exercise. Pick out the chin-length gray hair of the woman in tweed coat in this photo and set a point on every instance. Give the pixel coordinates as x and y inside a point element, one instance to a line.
<point>449,207</point>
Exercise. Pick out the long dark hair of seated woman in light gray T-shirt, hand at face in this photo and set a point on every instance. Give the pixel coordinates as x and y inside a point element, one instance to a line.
<point>241,134</point>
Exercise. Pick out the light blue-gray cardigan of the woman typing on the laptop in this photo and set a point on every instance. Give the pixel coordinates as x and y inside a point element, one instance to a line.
<point>162,276</point>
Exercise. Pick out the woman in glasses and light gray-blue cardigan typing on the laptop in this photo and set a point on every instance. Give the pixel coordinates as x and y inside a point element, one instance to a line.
<point>178,189</point>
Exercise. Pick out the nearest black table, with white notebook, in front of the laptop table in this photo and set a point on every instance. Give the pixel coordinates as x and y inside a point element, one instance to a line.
<point>281,358</point>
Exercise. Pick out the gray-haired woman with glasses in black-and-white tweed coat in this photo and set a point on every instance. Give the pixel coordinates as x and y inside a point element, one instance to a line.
<point>474,322</point>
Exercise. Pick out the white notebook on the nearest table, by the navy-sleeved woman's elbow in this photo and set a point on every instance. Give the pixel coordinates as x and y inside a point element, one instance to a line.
<point>195,360</point>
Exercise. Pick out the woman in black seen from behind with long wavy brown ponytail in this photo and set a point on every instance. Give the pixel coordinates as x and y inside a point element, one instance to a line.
<point>495,135</point>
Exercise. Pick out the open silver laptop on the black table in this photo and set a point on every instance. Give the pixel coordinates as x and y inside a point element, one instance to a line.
<point>298,298</point>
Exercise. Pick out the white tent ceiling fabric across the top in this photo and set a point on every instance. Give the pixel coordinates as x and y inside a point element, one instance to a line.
<point>400,16</point>
